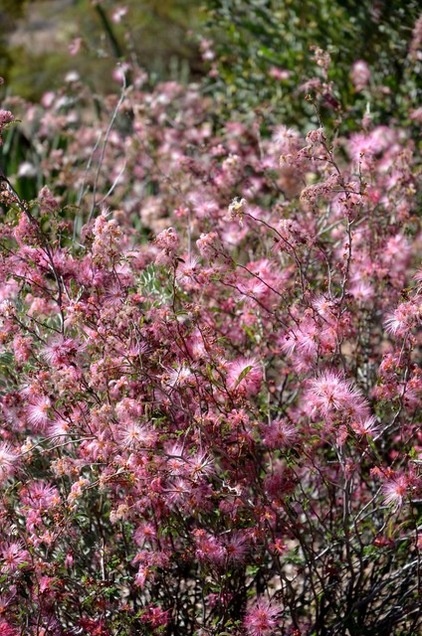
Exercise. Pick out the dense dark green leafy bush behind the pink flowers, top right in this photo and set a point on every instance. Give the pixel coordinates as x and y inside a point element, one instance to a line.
<point>262,55</point>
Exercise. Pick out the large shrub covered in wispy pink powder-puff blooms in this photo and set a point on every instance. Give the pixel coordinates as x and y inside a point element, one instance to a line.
<point>210,390</point>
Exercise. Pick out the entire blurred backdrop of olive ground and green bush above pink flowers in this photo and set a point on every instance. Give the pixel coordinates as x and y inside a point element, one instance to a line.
<point>256,53</point>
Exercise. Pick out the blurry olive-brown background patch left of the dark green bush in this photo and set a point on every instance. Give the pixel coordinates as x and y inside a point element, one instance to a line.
<point>36,37</point>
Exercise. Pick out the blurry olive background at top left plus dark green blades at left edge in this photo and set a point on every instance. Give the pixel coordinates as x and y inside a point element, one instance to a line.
<point>46,44</point>
